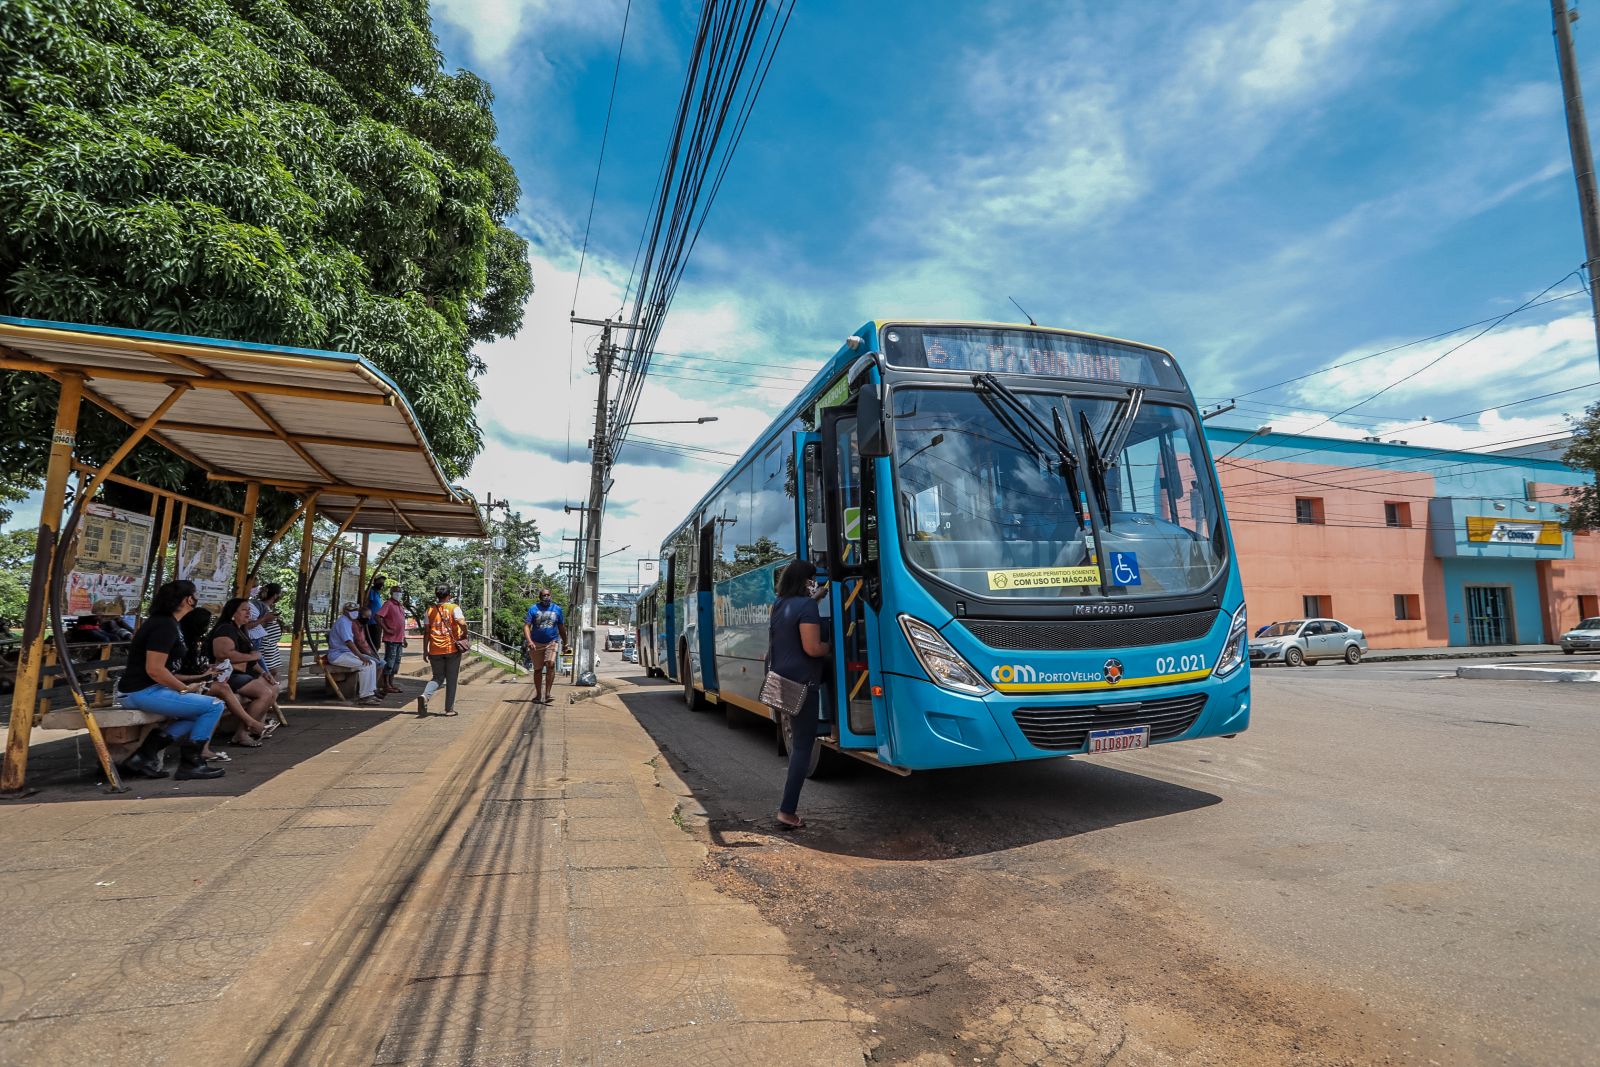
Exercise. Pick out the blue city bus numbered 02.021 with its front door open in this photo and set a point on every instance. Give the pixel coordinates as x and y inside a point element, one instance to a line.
<point>1025,543</point>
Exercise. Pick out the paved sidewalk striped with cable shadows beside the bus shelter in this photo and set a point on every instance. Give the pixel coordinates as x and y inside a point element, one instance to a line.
<point>506,887</point>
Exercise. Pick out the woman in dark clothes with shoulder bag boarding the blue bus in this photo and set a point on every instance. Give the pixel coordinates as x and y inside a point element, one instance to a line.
<point>799,653</point>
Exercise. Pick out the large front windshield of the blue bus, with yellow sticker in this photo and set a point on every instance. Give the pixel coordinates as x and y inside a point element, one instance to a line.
<point>994,513</point>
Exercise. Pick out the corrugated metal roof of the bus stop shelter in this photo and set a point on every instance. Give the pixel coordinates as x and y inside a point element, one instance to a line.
<point>290,418</point>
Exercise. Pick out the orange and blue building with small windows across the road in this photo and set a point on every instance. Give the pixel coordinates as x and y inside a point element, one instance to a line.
<point>1415,546</point>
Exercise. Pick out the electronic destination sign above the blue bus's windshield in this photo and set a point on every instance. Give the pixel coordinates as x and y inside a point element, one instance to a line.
<point>978,351</point>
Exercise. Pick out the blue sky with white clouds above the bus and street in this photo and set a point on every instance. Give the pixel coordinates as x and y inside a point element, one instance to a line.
<point>1266,190</point>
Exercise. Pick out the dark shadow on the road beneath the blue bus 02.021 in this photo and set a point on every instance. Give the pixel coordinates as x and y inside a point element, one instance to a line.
<point>870,813</point>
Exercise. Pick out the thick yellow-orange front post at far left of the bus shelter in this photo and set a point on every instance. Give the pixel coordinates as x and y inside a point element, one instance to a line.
<point>28,665</point>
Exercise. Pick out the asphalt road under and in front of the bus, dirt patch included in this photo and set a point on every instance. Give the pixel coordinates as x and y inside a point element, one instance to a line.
<point>1390,863</point>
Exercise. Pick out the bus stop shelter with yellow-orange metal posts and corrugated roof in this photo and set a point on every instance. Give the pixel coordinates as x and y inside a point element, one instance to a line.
<point>326,426</point>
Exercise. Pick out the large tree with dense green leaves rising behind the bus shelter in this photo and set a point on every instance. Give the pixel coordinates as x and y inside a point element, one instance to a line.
<point>287,172</point>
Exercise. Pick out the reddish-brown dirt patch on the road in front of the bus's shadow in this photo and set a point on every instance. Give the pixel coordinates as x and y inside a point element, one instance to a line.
<point>1066,962</point>
